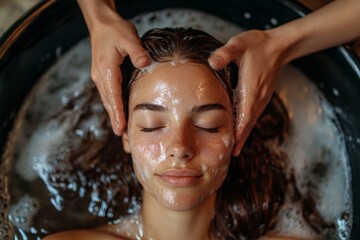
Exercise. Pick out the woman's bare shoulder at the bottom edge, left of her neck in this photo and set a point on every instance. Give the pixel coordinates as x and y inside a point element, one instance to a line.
<point>88,234</point>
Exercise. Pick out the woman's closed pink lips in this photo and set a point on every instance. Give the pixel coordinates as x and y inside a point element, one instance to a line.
<point>180,177</point>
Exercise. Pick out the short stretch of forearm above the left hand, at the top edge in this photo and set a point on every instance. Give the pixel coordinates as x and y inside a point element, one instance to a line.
<point>97,11</point>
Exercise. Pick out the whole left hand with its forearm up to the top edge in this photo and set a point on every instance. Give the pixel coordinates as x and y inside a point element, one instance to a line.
<point>112,39</point>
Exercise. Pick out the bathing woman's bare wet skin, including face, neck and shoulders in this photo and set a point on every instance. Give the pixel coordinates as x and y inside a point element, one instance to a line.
<point>180,135</point>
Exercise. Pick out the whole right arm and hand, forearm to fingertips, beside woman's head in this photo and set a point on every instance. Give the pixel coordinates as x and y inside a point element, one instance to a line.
<point>260,54</point>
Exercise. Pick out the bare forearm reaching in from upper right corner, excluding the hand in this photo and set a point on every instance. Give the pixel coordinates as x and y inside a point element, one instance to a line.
<point>334,24</point>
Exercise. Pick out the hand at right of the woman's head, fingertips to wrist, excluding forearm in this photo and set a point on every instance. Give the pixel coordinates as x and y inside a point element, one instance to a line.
<point>258,54</point>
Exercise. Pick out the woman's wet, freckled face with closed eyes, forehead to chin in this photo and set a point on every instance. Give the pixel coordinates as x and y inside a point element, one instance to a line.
<point>180,133</point>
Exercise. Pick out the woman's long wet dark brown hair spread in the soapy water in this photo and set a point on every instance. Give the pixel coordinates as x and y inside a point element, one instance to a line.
<point>254,189</point>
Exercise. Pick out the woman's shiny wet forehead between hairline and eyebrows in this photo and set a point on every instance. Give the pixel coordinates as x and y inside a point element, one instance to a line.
<point>185,81</point>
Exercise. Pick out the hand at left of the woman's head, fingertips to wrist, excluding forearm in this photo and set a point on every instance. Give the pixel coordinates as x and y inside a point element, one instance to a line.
<point>110,44</point>
